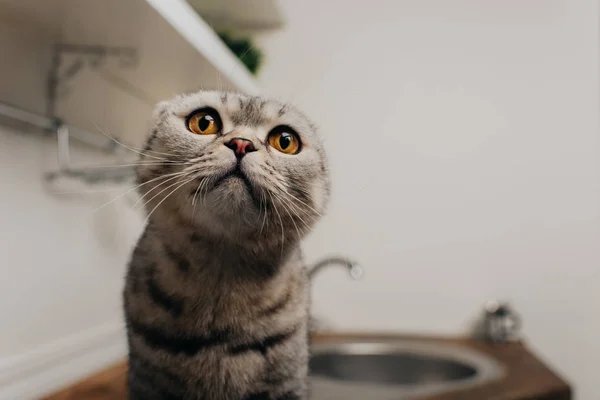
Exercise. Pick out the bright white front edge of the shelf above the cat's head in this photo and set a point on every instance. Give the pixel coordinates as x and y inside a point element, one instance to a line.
<point>185,20</point>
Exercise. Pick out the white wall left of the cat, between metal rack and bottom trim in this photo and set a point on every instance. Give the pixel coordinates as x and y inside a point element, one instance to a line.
<point>63,259</point>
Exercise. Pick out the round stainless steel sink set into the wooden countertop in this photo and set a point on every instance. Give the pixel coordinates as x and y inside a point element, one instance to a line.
<point>395,369</point>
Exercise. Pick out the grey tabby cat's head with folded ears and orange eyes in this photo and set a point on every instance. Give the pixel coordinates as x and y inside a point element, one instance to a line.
<point>235,164</point>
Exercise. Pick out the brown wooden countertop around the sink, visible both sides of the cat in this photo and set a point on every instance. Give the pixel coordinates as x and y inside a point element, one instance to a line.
<point>526,377</point>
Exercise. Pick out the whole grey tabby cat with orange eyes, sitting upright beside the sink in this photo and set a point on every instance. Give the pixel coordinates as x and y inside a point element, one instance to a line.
<point>216,296</point>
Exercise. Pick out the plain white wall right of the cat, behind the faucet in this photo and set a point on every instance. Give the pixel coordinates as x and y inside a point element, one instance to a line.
<point>464,148</point>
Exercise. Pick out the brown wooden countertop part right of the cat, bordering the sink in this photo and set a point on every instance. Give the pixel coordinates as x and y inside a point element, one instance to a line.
<point>525,378</point>
